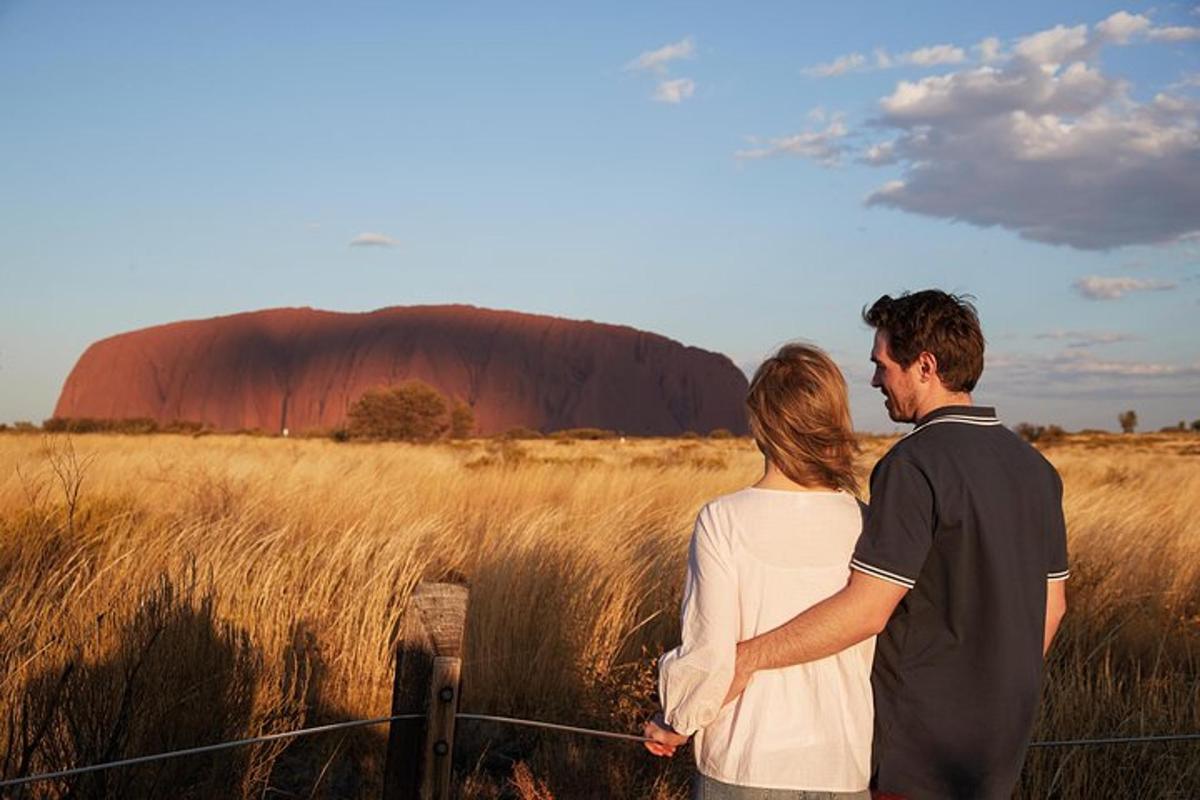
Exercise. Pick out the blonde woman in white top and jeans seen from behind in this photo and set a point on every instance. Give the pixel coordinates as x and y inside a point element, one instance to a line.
<point>760,557</point>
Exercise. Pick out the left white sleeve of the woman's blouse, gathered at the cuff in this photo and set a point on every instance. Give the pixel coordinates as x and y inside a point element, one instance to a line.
<point>695,677</point>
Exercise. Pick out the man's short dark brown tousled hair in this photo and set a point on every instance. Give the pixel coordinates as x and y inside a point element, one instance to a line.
<point>933,322</point>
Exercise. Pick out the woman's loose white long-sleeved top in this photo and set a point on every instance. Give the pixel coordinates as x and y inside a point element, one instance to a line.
<point>758,560</point>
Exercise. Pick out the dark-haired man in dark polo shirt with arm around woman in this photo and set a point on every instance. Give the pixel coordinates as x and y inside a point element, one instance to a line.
<point>959,570</point>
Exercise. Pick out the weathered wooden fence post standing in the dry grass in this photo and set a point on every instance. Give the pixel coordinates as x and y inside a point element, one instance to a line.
<point>429,669</point>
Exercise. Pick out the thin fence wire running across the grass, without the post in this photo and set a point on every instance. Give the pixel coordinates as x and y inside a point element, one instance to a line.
<point>485,718</point>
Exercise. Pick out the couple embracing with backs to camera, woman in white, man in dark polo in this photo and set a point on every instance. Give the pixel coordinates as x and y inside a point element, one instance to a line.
<point>842,652</point>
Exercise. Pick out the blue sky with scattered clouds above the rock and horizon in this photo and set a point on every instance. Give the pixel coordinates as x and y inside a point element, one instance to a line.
<point>729,176</point>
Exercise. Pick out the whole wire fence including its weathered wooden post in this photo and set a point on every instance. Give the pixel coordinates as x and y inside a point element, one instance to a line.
<point>419,762</point>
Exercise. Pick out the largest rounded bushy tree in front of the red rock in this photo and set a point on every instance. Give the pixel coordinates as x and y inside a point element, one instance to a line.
<point>412,412</point>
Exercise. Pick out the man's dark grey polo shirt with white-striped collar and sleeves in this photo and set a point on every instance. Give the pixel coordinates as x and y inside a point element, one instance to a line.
<point>969,518</point>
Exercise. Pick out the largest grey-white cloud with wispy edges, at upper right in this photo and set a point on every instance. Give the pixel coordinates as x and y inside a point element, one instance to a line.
<point>1033,137</point>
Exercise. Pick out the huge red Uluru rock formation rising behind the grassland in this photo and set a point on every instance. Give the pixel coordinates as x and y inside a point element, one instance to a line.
<point>302,369</point>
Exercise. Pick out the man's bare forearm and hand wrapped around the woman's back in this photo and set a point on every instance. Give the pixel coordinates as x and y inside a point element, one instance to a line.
<point>860,611</point>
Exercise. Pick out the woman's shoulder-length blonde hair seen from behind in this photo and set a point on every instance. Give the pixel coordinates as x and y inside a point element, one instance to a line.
<point>800,417</point>
